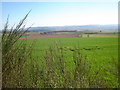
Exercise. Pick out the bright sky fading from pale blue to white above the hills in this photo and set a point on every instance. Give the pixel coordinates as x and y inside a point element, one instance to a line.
<point>61,13</point>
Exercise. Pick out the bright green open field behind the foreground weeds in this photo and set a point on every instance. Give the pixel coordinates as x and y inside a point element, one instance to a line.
<point>100,54</point>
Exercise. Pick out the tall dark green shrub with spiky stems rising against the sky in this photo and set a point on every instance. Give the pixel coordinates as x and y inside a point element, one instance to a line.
<point>15,53</point>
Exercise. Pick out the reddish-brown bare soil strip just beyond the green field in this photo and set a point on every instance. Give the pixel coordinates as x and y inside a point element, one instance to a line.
<point>48,36</point>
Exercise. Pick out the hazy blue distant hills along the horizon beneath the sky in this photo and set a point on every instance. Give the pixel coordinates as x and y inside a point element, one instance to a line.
<point>110,27</point>
